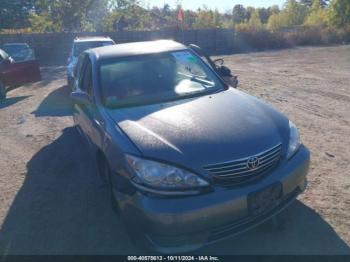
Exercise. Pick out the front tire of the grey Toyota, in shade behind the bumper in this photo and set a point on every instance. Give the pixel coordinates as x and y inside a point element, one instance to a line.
<point>105,176</point>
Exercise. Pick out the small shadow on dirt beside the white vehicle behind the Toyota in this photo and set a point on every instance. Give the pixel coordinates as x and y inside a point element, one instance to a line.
<point>57,103</point>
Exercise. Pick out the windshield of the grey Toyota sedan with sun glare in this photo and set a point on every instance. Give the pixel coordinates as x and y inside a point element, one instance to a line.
<point>155,78</point>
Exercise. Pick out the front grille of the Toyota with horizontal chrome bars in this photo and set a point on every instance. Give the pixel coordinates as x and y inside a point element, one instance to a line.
<point>238,171</point>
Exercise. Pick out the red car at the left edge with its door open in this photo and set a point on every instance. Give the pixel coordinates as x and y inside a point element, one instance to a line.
<point>15,73</point>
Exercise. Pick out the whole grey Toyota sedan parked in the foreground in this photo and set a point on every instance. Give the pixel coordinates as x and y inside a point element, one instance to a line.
<point>189,160</point>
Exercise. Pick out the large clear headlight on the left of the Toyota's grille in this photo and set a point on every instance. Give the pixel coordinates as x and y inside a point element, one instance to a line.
<point>161,176</point>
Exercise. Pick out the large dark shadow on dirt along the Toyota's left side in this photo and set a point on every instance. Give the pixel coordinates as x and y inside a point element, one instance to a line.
<point>62,207</point>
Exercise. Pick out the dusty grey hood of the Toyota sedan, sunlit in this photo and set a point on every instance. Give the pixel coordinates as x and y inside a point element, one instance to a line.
<point>204,130</point>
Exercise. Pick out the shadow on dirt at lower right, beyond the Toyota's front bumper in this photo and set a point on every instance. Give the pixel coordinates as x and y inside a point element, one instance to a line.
<point>302,231</point>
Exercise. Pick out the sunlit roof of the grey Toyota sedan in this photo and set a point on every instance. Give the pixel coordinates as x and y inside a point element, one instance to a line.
<point>136,48</point>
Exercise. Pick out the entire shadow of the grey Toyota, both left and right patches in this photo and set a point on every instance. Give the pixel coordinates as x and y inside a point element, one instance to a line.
<point>62,208</point>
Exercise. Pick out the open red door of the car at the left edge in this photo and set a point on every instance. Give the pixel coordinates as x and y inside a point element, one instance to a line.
<point>19,73</point>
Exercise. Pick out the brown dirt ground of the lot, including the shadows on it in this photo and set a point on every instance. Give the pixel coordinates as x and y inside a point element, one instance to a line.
<point>52,202</point>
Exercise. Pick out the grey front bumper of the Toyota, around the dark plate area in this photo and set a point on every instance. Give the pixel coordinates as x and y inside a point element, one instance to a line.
<point>182,224</point>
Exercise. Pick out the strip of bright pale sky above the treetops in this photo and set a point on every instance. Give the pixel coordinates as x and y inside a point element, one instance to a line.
<point>222,5</point>
